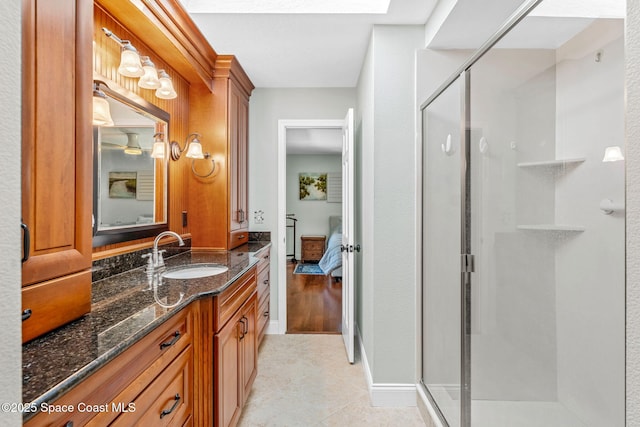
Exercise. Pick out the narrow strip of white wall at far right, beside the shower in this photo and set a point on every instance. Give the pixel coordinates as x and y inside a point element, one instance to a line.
<point>632,124</point>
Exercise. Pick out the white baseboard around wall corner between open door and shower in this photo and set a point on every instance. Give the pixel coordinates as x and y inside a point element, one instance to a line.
<point>385,394</point>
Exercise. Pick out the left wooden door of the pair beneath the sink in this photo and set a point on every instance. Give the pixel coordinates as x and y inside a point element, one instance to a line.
<point>228,392</point>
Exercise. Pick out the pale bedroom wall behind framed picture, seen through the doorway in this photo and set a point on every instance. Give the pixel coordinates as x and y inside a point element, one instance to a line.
<point>312,215</point>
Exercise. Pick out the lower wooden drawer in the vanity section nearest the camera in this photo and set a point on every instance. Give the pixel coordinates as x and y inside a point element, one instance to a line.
<point>168,400</point>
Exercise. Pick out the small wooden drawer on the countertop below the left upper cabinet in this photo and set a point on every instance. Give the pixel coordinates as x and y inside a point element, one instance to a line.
<point>53,303</point>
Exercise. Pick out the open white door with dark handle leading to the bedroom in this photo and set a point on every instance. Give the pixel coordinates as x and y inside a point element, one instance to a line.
<point>348,228</point>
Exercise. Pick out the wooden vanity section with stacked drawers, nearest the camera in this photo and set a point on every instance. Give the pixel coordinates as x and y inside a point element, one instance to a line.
<point>139,384</point>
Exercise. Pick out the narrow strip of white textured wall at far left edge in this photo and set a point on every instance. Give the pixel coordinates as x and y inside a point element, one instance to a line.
<point>10,242</point>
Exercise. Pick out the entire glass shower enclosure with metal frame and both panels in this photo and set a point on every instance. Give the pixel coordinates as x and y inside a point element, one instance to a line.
<point>523,228</point>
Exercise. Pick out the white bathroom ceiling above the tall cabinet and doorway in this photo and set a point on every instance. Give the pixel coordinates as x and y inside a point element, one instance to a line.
<point>298,49</point>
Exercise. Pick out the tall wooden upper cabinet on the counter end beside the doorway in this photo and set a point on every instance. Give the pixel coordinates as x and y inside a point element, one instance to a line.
<point>218,205</point>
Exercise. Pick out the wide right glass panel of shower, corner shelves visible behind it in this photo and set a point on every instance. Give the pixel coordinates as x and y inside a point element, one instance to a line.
<point>547,346</point>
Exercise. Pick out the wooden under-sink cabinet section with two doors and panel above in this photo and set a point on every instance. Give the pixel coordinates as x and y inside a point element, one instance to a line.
<point>235,348</point>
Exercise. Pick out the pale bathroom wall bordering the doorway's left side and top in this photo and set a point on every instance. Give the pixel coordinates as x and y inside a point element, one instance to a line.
<point>267,106</point>
